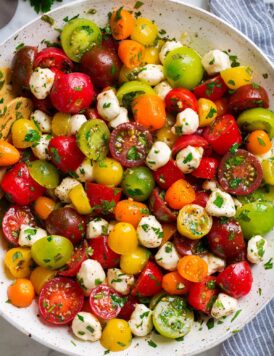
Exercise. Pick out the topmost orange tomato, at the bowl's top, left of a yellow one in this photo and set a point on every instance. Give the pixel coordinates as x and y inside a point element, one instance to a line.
<point>121,24</point>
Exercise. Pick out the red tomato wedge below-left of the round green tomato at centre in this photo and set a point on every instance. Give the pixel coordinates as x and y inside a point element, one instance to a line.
<point>103,199</point>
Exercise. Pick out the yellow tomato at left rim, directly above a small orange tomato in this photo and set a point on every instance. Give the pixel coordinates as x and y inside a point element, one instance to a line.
<point>18,261</point>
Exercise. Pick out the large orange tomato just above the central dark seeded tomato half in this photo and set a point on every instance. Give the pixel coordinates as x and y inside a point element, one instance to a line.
<point>149,111</point>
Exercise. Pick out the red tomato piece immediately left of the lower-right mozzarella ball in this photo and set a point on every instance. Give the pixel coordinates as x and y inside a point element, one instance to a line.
<point>203,294</point>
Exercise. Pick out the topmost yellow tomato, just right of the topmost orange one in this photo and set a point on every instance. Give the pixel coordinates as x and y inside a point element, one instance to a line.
<point>144,31</point>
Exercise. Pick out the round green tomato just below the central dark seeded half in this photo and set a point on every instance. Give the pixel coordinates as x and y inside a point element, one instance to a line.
<point>138,183</point>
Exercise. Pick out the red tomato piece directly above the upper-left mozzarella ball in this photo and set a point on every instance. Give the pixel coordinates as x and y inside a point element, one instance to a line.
<point>53,57</point>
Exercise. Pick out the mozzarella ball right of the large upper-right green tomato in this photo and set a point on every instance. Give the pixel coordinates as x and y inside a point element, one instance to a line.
<point>215,61</point>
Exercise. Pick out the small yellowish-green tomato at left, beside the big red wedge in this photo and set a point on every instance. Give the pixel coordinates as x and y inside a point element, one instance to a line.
<point>44,173</point>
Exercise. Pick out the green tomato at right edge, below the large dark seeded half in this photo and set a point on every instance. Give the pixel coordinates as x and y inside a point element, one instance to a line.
<point>256,218</point>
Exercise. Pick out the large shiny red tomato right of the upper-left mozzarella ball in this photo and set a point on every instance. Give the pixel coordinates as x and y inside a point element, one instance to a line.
<point>72,92</point>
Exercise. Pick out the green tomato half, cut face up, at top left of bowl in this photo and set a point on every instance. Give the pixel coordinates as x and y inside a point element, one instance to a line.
<point>78,37</point>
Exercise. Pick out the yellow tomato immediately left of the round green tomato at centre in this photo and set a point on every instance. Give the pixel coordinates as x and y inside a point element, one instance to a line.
<point>108,172</point>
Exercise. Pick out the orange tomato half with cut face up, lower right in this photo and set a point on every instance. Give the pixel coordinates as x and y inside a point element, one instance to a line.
<point>193,268</point>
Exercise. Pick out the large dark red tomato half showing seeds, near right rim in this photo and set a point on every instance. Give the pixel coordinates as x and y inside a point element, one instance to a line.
<point>240,173</point>
